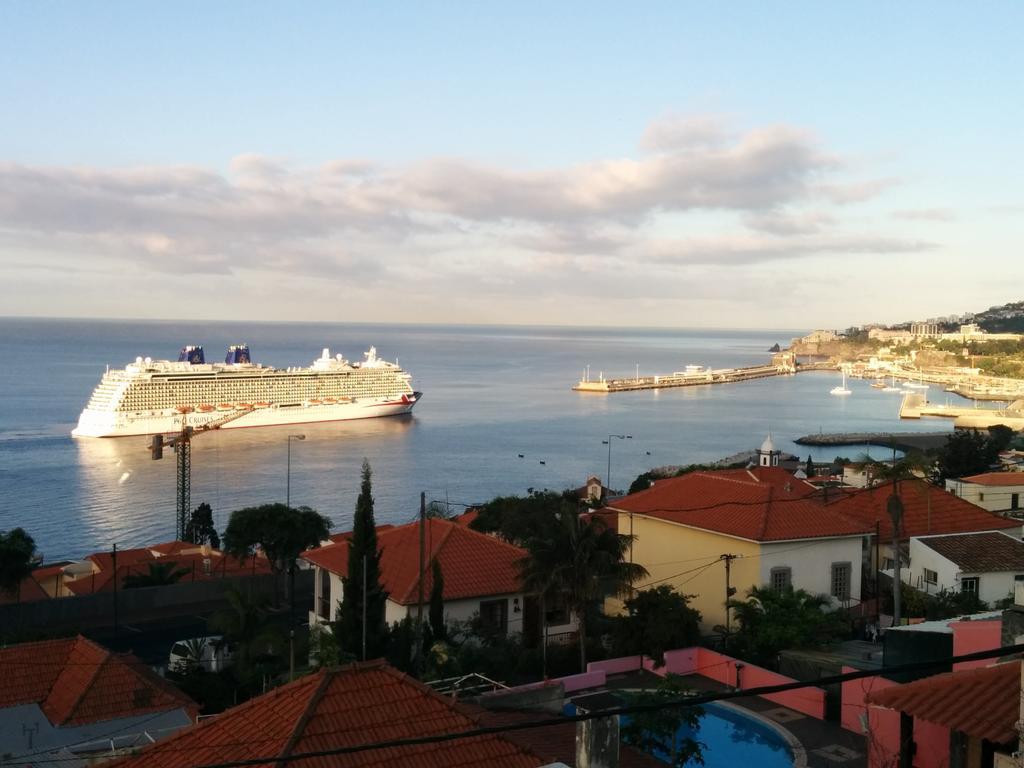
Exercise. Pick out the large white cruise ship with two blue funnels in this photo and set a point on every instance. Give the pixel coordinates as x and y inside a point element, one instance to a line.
<point>156,397</point>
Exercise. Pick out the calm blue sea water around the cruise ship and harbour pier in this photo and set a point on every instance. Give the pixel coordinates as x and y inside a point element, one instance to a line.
<point>491,394</point>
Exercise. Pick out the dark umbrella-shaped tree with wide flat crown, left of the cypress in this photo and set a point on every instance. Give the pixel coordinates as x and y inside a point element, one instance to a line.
<point>282,532</point>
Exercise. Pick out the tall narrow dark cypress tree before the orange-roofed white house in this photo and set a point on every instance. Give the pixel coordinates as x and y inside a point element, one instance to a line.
<point>364,558</point>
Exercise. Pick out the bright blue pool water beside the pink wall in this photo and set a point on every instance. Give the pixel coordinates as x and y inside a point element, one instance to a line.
<point>733,739</point>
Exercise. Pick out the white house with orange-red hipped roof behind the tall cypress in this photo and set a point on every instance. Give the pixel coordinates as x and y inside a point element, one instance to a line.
<point>480,572</point>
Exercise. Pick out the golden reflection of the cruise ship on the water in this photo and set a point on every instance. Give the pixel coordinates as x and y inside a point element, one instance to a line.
<point>231,470</point>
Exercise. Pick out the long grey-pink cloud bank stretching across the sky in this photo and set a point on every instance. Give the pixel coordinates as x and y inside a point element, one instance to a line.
<point>702,195</point>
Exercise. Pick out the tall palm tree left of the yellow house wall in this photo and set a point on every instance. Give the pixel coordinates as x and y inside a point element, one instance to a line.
<point>583,562</point>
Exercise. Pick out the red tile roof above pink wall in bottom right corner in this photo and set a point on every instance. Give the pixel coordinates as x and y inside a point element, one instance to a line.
<point>983,703</point>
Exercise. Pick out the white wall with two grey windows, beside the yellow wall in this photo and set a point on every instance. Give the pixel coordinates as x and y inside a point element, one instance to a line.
<point>812,563</point>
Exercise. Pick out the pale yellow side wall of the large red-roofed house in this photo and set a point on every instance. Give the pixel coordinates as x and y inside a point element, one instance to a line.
<point>668,550</point>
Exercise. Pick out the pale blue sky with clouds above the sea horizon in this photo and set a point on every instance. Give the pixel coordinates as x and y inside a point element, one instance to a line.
<point>676,164</point>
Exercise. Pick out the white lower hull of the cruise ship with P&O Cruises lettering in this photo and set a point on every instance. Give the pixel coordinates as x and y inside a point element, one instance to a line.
<point>126,424</point>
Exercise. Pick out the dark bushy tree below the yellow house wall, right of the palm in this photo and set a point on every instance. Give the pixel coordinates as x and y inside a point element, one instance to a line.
<point>657,620</point>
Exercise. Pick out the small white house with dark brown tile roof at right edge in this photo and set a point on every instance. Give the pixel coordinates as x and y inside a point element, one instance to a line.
<point>990,564</point>
